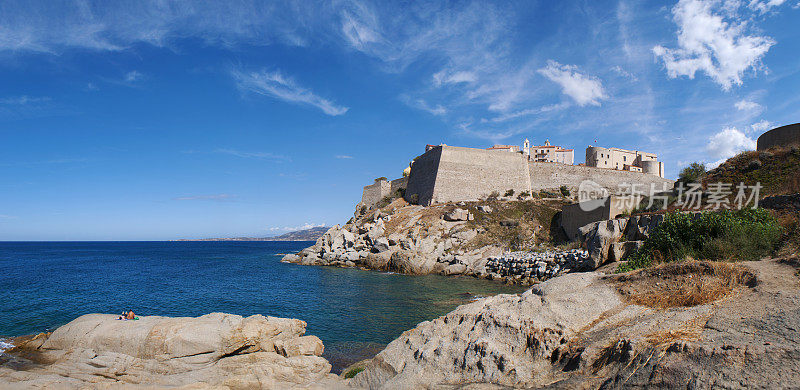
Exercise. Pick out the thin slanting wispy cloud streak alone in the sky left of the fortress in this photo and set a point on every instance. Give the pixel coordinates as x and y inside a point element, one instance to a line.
<point>284,88</point>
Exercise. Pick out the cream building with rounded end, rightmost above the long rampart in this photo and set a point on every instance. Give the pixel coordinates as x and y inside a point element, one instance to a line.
<point>624,160</point>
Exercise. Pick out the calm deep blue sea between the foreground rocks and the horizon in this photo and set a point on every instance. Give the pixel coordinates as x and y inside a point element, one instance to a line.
<point>46,284</point>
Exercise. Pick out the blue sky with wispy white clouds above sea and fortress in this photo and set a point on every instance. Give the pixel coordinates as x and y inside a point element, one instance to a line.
<point>159,120</point>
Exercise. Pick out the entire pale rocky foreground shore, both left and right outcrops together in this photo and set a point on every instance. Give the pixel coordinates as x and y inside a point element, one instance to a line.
<point>579,330</point>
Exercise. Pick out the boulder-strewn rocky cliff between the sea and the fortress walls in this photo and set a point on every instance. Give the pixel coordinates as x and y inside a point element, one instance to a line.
<point>468,238</point>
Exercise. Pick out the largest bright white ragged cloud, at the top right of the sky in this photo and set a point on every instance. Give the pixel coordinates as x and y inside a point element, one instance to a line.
<point>712,40</point>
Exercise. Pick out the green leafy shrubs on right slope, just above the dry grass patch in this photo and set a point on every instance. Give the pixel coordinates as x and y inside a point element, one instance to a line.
<point>741,235</point>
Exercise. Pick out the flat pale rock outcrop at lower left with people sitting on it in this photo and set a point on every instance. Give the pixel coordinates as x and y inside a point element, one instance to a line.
<point>212,351</point>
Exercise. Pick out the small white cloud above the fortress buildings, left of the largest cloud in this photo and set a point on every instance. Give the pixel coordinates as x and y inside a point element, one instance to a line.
<point>584,90</point>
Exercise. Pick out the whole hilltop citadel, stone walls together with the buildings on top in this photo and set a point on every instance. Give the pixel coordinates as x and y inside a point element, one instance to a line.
<point>453,174</point>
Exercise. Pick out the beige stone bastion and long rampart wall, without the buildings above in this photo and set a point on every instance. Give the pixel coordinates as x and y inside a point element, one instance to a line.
<point>453,174</point>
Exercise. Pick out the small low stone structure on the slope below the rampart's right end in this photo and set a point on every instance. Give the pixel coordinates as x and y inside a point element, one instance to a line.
<point>574,216</point>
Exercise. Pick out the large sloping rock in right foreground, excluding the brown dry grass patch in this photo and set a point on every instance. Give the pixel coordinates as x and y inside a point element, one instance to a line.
<point>577,331</point>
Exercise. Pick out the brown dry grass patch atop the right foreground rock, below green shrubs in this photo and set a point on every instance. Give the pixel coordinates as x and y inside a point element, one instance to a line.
<point>682,284</point>
